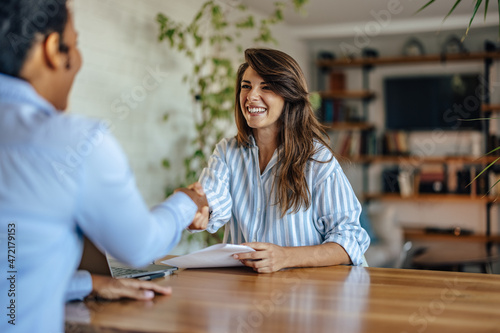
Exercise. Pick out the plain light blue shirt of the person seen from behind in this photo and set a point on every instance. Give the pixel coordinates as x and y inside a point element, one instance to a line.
<point>62,176</point>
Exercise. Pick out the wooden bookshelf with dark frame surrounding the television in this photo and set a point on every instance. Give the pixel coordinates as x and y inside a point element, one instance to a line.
<point>398,158</point>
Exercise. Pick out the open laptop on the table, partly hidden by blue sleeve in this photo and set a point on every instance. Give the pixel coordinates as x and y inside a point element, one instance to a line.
<point>94,261</point>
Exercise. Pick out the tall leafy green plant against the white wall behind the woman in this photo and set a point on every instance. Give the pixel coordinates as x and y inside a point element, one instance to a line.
<point>216,32</point>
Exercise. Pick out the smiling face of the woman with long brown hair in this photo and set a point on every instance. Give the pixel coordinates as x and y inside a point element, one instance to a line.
<point>260,106</point>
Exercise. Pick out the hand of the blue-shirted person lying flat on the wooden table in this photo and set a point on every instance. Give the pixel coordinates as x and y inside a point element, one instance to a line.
<point>112,289</point>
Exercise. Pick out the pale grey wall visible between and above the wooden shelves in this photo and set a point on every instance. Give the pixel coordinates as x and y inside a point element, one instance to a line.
<point>466,215</point>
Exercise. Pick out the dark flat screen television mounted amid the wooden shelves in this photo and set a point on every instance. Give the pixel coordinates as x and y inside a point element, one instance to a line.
<point>422,103</point>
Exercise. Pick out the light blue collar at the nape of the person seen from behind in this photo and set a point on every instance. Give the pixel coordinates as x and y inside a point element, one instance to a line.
<point>16,90</point>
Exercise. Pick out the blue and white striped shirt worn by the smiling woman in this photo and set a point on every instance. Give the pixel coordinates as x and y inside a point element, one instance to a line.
<point>239,194</point>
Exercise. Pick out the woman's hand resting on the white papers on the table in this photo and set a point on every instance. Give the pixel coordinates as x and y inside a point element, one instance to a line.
<point>267,257</point>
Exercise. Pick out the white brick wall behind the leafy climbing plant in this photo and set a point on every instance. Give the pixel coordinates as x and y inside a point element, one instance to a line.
<point>118,40</point>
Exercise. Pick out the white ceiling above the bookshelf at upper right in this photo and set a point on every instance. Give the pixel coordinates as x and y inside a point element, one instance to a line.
<point>329,18</point>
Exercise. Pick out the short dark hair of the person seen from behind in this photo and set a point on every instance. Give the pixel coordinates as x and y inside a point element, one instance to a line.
<point>22,22</point>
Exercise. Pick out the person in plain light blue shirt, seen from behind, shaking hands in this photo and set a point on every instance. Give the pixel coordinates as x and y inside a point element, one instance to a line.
<point>62,177</point>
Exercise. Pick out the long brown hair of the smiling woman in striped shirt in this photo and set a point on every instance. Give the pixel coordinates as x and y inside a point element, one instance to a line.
<point>299,128</point>
